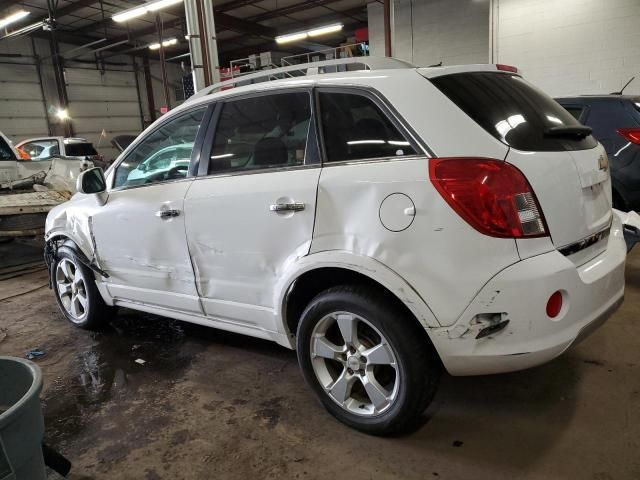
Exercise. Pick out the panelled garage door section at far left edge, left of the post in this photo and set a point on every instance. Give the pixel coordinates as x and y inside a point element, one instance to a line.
<point>22,111</point>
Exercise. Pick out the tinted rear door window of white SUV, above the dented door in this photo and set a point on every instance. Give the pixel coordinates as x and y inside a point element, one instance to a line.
<point>267,131</point>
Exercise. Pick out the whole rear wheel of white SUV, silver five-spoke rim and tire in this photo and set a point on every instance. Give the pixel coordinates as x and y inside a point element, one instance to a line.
<point>366,360</point>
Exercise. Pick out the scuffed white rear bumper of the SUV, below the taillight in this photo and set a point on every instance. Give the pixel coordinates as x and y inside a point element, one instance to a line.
<point>591,293</point>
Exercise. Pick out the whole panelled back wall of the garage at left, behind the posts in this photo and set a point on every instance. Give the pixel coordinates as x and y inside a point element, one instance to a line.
<point>99,100</point>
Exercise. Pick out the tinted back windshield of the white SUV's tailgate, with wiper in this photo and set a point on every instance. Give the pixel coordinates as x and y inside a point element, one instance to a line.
<point>512,110</point>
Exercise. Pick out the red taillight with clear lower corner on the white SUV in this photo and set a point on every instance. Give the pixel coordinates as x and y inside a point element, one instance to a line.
<point>492,196</point>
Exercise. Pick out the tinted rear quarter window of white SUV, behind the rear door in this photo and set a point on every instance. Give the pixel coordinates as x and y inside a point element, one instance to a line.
<point>355,128</point>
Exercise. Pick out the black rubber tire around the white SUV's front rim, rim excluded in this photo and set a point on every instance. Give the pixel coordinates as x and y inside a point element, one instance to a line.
<point>97,313</point>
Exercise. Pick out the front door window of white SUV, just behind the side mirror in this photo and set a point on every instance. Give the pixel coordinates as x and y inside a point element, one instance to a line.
<point>164,155</point>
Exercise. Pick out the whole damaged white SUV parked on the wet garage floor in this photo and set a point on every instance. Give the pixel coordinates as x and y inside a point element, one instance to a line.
<point>383,223</point>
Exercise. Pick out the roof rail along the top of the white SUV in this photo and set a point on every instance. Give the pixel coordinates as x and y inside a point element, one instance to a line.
<point>312,68</point>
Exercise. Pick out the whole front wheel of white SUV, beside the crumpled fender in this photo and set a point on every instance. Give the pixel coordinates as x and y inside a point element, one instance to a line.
<point>76,291</point>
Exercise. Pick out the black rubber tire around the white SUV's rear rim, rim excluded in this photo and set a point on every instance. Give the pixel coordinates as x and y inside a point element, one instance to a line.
<point>418,366</point>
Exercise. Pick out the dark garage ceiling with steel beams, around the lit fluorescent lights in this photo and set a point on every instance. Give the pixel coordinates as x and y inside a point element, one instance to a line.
<point>243,27</point>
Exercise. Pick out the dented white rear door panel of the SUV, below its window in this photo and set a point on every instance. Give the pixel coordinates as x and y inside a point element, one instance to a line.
<point>243,232</point>
